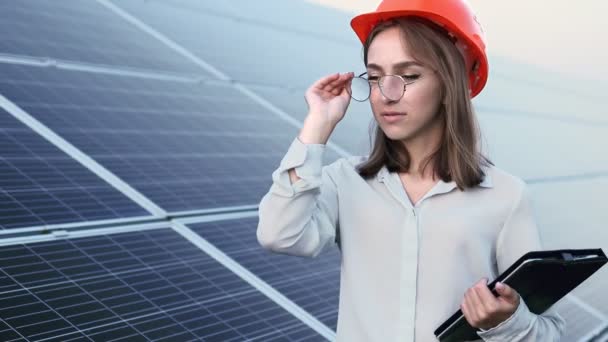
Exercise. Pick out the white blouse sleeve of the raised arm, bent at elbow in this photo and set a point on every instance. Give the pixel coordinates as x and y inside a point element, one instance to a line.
<point>300,218</point>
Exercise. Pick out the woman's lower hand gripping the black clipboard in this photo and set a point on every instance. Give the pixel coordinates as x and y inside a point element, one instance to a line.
<point>483,310</point>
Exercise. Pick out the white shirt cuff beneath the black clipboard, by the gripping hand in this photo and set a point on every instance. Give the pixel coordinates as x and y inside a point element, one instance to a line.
<point>511,327</point>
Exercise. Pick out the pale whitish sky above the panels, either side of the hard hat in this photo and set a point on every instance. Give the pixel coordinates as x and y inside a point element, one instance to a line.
<point>565,36</point>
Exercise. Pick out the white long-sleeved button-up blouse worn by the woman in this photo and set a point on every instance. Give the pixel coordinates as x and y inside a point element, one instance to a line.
<point>405,268</point>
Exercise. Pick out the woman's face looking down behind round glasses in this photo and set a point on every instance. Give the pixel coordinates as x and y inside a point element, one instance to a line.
<point>415,115</point>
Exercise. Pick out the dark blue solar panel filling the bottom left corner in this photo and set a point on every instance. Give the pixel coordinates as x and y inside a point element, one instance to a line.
<point>140,286</point>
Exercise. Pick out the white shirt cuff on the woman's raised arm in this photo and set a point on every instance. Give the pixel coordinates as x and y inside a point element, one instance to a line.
<point>307,160</point>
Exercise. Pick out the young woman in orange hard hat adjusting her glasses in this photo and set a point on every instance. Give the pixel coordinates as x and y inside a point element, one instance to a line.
<point>425,220</point>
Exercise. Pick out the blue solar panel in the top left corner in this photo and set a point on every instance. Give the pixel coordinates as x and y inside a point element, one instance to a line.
<point>83,31</point>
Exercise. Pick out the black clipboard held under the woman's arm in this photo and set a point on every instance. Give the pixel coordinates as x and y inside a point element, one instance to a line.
<point>565,268</point>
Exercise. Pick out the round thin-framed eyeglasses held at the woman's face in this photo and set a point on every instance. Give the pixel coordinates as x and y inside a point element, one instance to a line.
<point>391,86</point>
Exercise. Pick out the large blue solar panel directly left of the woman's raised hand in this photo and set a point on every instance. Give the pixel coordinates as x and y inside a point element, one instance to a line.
<point>183,145</point>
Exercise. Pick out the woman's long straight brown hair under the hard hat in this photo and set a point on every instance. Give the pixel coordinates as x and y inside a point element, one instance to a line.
<point>458,157</point>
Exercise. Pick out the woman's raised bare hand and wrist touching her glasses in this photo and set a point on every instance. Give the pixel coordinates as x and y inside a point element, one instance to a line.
<point>327,101</point>
